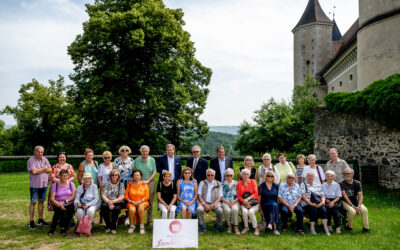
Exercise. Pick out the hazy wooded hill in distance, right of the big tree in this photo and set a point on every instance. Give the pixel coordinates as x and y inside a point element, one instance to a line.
<point>215,139</point>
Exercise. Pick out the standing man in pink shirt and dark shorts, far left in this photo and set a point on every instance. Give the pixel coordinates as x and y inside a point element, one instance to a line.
<point>39,169</point>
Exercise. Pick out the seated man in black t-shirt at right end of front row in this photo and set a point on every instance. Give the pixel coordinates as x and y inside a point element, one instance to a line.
<point>353,199</point>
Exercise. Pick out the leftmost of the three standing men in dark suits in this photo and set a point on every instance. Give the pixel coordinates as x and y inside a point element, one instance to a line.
<point>170,162</point>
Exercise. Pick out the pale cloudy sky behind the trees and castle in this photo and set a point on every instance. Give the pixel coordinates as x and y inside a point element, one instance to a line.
<point>248,44</point>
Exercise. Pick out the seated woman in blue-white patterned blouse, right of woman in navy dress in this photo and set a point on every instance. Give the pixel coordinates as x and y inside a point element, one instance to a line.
<point>289,195</point>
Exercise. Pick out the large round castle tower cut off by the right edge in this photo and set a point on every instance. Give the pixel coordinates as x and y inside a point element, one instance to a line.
<point>378,40</point>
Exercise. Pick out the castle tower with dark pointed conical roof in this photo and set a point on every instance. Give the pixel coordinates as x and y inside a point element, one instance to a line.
<point>313,38</point>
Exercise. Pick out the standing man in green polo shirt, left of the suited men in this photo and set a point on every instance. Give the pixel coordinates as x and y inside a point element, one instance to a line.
<point>147,165</point>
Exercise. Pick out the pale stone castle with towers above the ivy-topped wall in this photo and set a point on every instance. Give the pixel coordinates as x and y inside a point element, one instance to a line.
<point>369,50</point>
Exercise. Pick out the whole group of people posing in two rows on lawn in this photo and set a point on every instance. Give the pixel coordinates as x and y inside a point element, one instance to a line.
<point>129,184</point>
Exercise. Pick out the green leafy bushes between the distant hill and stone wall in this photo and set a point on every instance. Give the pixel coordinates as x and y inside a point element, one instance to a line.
<point>280,125</point>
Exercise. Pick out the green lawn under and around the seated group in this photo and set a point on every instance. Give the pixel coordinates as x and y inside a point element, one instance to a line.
<point>384,217</point>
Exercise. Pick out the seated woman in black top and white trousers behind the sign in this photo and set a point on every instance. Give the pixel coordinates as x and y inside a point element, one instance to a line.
<point>166,195</point>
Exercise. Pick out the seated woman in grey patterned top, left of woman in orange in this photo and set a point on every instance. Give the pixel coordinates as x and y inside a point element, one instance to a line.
<point>112,196</point>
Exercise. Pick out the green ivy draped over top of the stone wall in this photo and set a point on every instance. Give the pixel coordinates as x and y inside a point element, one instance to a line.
<point>379,101</point>
